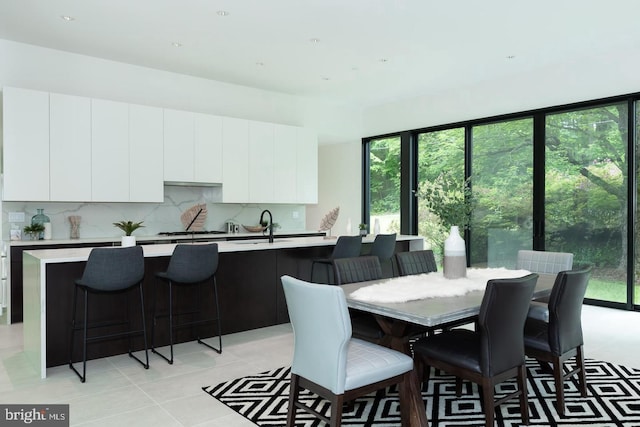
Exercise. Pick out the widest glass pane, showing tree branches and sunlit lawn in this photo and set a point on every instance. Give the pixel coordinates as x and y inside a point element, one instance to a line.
<point>586,184</point>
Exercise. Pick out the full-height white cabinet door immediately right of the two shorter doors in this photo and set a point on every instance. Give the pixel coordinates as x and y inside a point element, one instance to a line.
<point>235,163</point>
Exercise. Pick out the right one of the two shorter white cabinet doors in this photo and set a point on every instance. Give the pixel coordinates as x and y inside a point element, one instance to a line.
<point>207,148</point>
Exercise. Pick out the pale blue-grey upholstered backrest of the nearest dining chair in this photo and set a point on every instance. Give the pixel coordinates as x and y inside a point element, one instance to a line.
<point>322,331</point>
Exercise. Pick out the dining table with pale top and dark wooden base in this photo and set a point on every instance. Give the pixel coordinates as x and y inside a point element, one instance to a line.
<point>399,319</point>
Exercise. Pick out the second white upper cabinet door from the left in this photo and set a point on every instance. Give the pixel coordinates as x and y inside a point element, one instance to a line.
<point>70,148</point>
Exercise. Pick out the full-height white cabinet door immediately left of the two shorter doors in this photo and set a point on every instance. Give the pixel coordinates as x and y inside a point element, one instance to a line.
<point>146,177</point>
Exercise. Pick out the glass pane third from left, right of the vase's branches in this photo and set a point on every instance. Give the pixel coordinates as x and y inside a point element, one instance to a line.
<point>502,188</point>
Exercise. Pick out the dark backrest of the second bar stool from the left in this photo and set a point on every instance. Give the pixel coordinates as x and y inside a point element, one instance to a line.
<point>193,263</point>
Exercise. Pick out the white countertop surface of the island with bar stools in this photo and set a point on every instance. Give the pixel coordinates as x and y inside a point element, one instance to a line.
<point>82,254</point>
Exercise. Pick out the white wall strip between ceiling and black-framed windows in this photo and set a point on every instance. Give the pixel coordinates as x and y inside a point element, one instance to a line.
<point>579,80</point>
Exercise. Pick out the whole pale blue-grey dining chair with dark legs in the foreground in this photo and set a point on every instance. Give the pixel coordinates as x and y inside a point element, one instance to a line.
<point>327,360</point>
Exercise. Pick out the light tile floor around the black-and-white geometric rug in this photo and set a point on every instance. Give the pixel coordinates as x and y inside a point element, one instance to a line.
<point>120,392</point>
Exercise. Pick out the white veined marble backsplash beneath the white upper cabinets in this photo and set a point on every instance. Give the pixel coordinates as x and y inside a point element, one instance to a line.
<point>98,218</point>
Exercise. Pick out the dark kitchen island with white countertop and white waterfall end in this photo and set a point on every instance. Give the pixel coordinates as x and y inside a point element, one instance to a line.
<point>248,280</point>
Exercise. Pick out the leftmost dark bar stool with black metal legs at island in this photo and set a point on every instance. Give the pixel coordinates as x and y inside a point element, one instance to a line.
<point>108,271</point>
